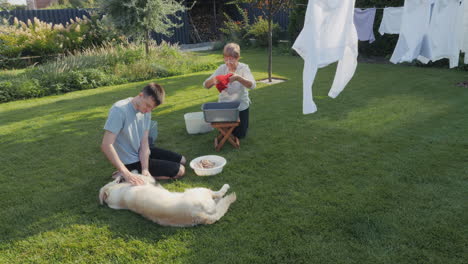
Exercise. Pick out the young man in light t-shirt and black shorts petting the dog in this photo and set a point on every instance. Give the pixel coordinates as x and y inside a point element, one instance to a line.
<point>125,142</point>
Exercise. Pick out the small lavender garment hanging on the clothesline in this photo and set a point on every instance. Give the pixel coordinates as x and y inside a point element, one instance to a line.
<point>364,22</point>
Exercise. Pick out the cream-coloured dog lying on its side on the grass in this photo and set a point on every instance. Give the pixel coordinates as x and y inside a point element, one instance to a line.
<point>192,207</point>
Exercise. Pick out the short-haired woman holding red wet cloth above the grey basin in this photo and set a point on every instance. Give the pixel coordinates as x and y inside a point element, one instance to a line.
<point>240,79</point>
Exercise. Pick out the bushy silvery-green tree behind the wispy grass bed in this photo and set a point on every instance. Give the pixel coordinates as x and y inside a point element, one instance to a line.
<point>138,18</point>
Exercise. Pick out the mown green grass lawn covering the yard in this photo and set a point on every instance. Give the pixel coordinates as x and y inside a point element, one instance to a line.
<point>377,175</point>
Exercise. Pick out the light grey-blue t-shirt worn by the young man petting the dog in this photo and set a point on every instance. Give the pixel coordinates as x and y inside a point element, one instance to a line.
<point>129,125</point>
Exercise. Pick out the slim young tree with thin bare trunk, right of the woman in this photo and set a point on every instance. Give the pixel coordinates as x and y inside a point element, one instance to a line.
<point>269,8</point>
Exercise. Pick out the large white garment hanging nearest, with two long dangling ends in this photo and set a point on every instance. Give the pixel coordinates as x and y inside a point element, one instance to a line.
<point>329,35</point>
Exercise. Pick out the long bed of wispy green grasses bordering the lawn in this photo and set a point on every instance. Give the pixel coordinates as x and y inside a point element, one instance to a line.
<point>92,68</point>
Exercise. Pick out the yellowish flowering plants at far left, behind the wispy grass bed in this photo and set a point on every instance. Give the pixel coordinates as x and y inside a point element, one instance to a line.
<point>40,41</point>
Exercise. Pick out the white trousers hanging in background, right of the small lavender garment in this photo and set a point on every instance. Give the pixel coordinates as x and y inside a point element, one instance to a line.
<point>413,39</point>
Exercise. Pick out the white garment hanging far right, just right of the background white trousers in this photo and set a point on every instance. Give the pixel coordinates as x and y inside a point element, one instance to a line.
<point>443,39</point>
